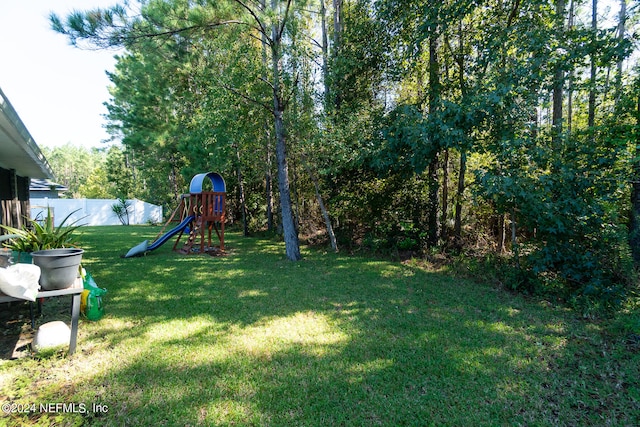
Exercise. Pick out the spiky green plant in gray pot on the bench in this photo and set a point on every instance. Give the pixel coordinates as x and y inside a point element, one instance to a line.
<point>52,249</point>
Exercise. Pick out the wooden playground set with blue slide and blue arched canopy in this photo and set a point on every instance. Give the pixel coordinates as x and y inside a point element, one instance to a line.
<point>201,212</point>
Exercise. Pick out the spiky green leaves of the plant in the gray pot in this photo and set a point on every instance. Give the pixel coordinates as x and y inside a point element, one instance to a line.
<point>43,234</point>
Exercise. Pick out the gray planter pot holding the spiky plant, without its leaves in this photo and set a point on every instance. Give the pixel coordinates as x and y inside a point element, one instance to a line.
<point>59,268</point>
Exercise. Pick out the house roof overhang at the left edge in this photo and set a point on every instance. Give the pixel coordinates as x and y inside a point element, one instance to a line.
<point>18,150</point>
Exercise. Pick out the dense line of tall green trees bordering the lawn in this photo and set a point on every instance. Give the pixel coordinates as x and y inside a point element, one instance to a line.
<point>469,127</point>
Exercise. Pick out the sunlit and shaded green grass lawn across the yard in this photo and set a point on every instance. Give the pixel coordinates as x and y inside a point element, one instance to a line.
<point>253,339</point>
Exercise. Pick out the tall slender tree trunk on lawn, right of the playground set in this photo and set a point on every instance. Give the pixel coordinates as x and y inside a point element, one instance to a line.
<point>292,244</point>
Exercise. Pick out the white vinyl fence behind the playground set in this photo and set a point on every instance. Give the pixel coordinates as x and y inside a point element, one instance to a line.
<point>94,211</point>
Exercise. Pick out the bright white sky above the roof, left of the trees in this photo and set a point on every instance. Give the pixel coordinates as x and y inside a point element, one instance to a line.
<point>57,90</point>
